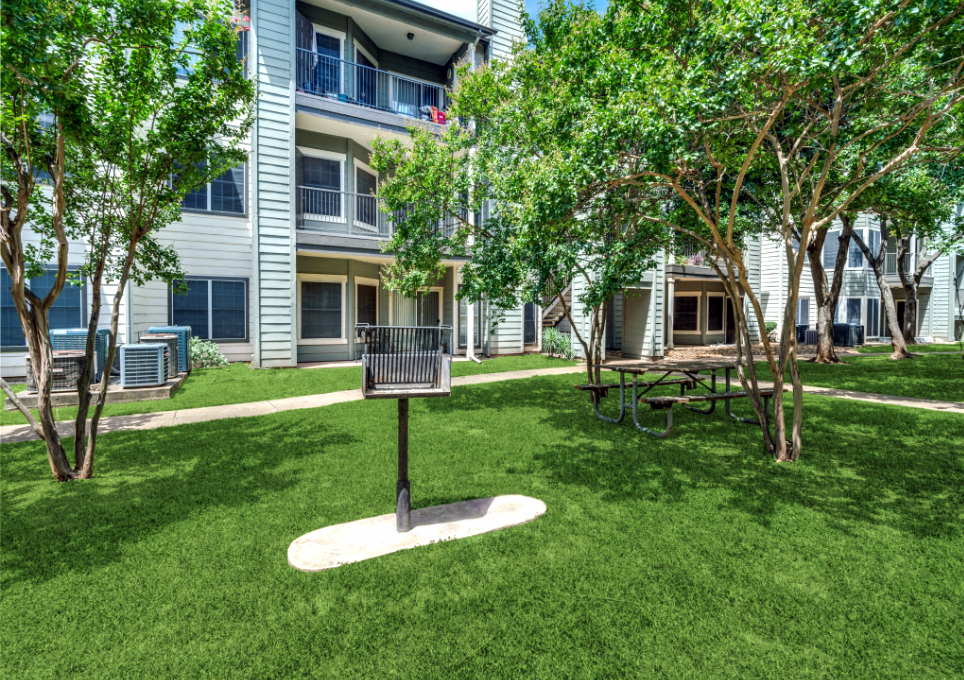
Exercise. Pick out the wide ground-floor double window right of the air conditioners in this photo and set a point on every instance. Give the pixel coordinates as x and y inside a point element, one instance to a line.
<point>215,309</point>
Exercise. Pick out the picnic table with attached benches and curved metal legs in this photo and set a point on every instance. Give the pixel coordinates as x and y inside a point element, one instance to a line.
<point>689,375</point>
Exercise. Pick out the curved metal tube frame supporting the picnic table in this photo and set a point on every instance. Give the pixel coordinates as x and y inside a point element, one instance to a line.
<point>691,371</point>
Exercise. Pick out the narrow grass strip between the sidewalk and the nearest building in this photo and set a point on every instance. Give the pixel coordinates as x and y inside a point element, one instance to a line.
<point>240,383</point>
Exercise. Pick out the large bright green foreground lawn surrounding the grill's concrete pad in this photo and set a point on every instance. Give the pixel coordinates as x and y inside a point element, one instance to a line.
<point>694,556</point>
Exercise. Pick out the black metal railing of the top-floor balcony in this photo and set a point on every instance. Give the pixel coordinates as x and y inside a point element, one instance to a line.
<point>366,86</point>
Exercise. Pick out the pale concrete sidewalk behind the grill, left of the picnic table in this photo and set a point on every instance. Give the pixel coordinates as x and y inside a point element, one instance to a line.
<point>11,434</point>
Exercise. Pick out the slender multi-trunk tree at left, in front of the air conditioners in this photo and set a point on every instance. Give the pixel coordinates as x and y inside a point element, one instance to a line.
<point>165,108</point>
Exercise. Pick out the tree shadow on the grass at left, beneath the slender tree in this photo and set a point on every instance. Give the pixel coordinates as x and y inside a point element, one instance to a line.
<point>144,483</point>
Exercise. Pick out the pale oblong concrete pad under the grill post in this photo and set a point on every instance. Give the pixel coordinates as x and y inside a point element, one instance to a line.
<point>364,539</point>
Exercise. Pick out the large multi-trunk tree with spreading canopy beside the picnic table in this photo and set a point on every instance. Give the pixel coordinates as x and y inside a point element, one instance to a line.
<point>704,114</point>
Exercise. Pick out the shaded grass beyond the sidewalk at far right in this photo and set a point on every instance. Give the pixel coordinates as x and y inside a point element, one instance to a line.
<point>928,377</point>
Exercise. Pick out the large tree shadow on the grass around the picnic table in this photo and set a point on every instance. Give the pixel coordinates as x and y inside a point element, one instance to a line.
<point>861,463</point>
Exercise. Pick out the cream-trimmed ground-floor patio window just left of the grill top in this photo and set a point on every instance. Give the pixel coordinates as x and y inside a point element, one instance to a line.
<point>321,309</point>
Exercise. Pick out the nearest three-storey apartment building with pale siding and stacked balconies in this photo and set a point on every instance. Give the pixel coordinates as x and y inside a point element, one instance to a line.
<point>284,255</point>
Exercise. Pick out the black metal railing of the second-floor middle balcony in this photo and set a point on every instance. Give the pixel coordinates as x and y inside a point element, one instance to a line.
<point>346,213</point>
